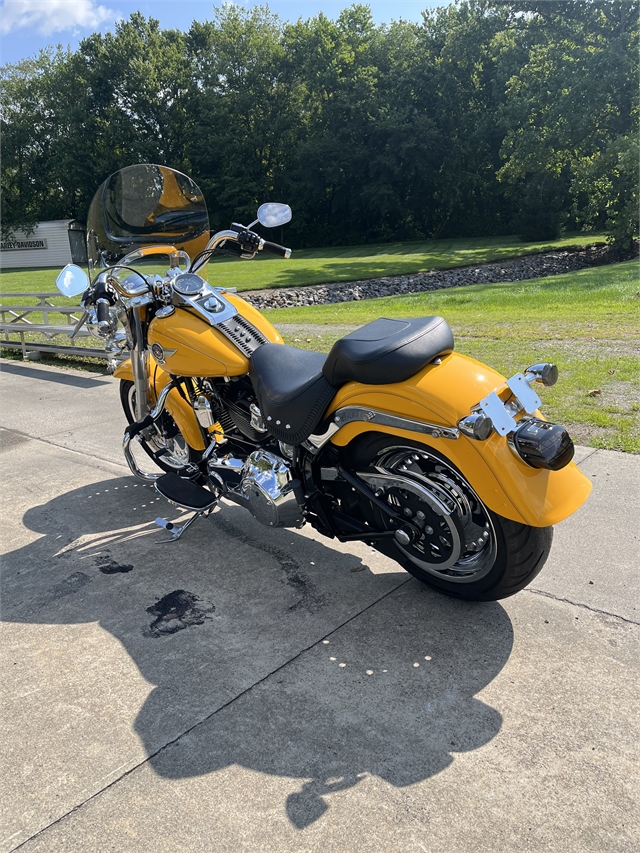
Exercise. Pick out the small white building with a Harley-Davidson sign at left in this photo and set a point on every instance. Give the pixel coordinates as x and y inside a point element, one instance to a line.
<point>51,244</point>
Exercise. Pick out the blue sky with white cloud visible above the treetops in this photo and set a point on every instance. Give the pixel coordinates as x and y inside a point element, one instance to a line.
<point>26,26</point>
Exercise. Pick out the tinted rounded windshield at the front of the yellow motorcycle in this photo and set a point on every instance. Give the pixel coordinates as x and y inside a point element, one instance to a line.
<point>145,205</point>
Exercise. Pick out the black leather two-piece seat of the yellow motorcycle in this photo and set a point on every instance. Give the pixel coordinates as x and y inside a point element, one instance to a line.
<point>294,387</point>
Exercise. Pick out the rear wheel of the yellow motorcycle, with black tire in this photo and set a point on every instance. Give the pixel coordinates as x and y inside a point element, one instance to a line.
<point>469,553</point>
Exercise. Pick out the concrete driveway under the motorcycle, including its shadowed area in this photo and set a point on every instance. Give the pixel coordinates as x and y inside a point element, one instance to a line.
<point>247,689</point>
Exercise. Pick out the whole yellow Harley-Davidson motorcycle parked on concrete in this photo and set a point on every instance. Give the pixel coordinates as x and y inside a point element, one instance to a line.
<point>393,439</point>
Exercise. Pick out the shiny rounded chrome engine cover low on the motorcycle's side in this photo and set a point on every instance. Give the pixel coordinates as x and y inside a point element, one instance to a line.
<point>267,486</point>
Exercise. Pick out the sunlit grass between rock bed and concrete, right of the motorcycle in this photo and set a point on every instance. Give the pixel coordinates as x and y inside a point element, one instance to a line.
<point>588,323</point>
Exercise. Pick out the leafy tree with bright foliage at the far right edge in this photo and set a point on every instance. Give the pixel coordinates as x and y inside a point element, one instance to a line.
<point>575,95</point>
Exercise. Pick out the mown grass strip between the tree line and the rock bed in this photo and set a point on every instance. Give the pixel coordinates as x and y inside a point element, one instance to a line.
<point>343,263</point>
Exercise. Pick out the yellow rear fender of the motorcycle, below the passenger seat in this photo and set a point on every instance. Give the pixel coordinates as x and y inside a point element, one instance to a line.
<point>443,394</point>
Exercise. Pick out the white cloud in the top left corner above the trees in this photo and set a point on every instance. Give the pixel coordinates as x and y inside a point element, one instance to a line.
<point>52,16</point>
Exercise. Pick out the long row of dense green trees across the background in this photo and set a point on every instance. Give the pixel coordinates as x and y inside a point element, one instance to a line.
<point>488,117</point>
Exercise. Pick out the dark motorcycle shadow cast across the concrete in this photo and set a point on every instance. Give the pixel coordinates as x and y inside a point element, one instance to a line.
<point>275,652</point>
